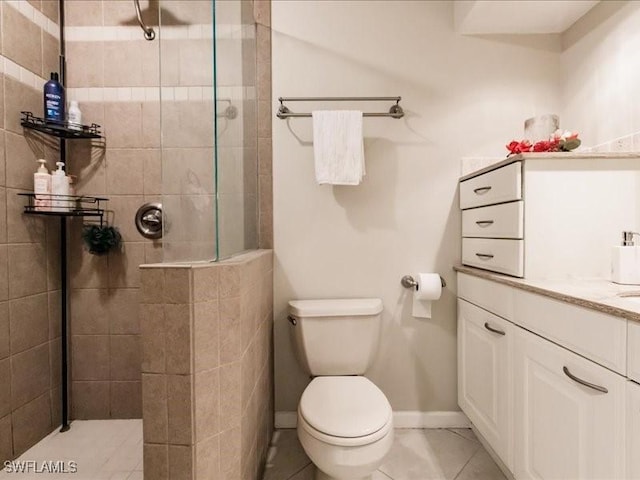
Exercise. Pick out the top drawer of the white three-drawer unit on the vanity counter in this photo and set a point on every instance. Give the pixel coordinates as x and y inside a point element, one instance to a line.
<point>501,185</point>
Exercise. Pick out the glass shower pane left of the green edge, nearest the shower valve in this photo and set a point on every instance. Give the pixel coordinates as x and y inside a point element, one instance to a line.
<point>187,95</point>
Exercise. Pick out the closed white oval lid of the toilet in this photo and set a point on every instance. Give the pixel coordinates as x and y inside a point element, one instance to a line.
<point>345,406</point>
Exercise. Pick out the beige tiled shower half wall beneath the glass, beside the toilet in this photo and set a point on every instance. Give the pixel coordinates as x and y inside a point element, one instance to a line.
<point>207,376</point>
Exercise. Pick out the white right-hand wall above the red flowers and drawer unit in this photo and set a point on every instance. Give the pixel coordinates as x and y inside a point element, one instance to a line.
<point>601,73</point>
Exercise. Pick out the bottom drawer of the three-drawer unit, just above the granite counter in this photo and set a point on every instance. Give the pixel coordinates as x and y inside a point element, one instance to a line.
<point>497,255</point>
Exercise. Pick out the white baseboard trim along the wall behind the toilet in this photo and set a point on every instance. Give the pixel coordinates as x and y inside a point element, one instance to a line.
<point>401,419</point>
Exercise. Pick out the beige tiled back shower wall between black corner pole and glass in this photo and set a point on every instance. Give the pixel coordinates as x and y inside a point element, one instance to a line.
<point>112,72</point>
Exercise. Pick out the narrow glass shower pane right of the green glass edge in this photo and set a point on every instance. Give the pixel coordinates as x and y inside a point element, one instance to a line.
<point>236,127</point>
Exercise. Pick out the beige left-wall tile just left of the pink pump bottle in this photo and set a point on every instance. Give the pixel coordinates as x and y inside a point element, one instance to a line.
<point>21,157</point>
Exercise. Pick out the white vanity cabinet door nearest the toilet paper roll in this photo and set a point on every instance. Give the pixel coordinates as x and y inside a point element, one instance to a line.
<point>484,375</point>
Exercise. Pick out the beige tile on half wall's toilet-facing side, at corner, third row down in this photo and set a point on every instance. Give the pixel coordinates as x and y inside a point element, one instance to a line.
<point>207,404</point>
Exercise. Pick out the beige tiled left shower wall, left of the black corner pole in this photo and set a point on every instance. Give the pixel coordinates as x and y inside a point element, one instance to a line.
<point>29,257</point>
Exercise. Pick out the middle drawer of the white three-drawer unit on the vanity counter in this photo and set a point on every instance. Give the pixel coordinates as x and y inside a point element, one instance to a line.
<point>497,221</point>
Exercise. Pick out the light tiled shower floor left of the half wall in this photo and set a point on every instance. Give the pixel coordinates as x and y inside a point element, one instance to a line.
<point>102,450</point>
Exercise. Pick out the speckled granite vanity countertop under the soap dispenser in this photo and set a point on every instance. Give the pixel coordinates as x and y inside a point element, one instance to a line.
<point>593,293</point>
